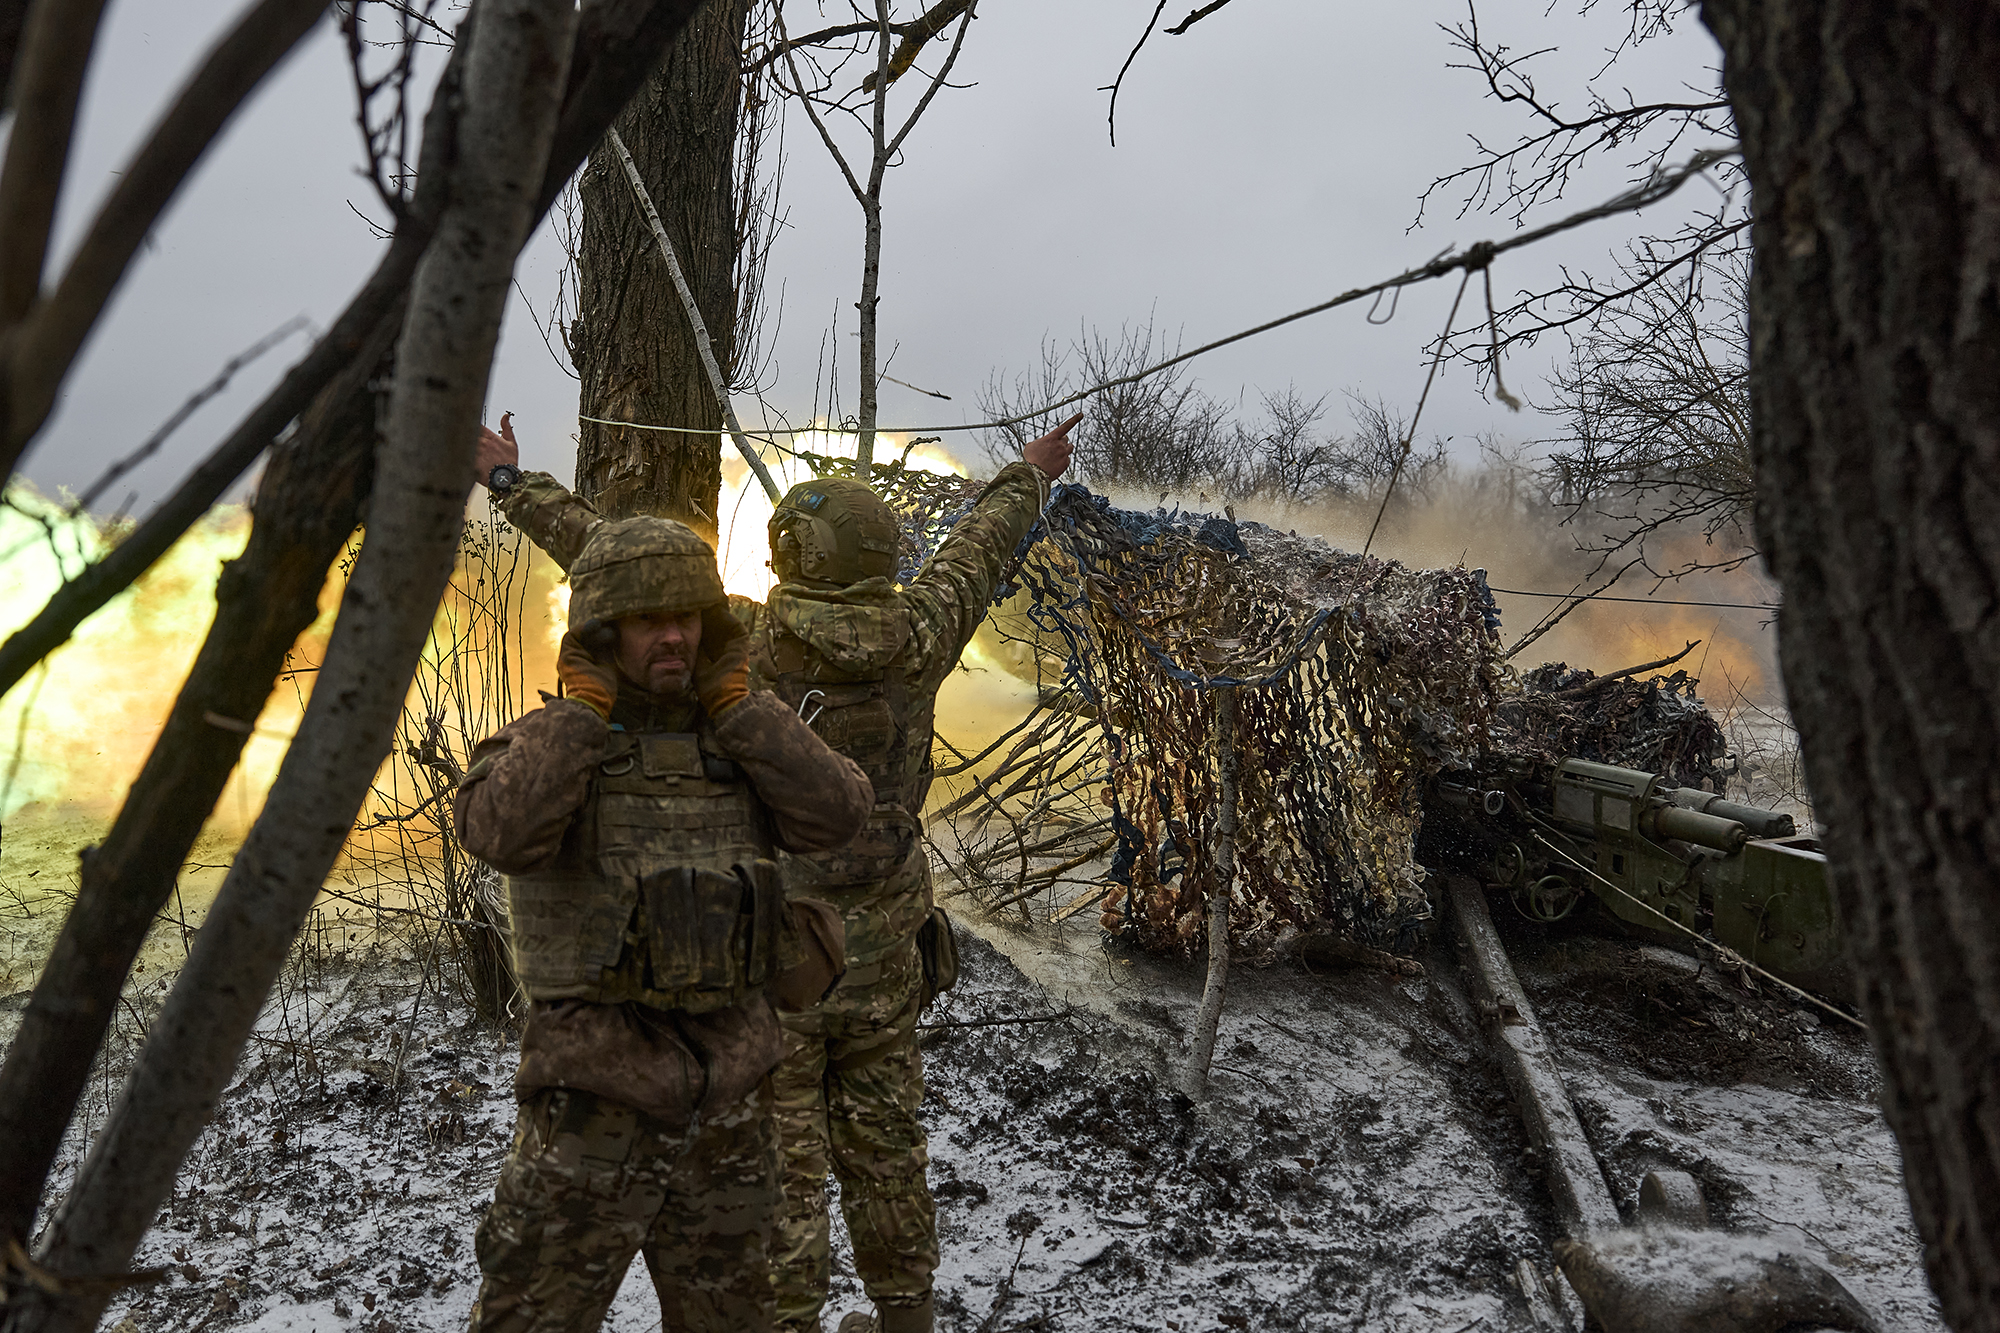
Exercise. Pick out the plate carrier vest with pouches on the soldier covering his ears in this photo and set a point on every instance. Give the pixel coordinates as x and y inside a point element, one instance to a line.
<point>677,836</point>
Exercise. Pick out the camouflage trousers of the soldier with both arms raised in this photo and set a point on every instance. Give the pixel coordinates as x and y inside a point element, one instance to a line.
<point>847,1096</point>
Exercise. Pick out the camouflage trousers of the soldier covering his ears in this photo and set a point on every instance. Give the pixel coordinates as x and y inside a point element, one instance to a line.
<point>593,1182</point>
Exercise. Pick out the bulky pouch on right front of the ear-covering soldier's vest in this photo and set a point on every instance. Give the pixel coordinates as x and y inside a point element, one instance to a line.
<point>717,936</point>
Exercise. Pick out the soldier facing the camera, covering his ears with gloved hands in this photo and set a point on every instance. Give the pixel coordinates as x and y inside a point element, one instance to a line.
<point>637,822</point>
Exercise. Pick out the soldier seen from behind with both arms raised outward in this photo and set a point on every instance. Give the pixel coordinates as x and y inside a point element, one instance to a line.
<point>863,659</point>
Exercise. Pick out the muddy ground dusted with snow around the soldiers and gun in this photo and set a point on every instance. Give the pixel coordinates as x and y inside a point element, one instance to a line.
<point>1357,1164</point>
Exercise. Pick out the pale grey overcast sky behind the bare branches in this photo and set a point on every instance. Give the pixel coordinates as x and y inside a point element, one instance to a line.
<point>1269,159</point>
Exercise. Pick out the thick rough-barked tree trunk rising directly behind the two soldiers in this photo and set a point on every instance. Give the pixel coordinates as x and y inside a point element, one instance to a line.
<point>635,351</point>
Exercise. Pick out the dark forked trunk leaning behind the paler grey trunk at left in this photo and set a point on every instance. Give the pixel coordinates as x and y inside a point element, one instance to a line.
<point>309,503</point>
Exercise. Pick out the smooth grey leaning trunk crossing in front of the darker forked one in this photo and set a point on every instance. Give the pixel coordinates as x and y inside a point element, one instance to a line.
<point>515,75</point>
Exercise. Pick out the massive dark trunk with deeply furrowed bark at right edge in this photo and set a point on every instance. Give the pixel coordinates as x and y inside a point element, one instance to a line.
<point>1873,141</point>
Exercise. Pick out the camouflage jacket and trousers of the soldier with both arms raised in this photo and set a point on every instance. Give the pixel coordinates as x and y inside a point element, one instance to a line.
<point>851,1082</point>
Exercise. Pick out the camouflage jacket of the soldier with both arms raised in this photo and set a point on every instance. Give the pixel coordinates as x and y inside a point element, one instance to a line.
<point>919,629</point>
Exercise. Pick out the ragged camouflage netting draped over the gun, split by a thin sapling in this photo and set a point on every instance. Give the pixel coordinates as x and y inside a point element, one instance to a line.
<point>1355,682</point>
